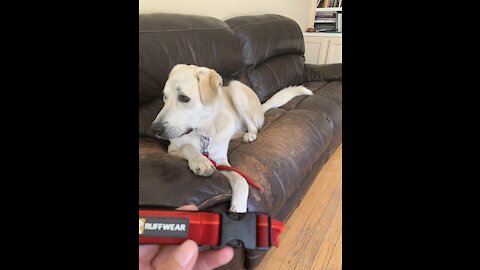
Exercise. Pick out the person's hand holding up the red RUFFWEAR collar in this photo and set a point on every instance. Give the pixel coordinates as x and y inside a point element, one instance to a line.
<point>182,257</point>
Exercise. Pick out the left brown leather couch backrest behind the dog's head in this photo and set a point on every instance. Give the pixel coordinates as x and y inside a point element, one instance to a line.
<point>169,39</point>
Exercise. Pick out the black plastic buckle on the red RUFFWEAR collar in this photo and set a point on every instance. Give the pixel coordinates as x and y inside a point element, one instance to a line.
<point>240,230</point>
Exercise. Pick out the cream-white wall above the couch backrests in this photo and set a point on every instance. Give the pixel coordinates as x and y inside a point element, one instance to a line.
<point>299,10</point>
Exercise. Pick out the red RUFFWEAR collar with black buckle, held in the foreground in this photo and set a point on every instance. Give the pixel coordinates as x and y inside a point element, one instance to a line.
<point>250,230</point>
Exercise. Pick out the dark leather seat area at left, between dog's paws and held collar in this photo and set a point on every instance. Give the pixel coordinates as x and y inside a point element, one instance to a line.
<point>166,180</point>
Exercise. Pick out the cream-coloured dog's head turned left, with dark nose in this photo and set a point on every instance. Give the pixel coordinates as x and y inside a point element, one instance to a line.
<point>189,95</point>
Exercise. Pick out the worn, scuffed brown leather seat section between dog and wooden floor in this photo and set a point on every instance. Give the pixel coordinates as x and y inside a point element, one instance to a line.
<point>289,145</point>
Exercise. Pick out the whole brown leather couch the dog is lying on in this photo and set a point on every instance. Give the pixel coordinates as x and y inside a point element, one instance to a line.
<point>267,53</point>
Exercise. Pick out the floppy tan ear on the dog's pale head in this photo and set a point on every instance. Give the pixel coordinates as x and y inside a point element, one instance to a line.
<point>210,83</point>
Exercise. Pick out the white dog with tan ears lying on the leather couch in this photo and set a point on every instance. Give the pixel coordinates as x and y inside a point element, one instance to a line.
<point>199,109</point>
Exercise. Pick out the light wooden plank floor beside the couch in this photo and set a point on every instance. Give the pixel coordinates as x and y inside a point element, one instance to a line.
<point>313,235</point>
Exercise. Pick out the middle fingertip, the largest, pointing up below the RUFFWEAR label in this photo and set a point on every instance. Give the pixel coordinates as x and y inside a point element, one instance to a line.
<point>180,257</point>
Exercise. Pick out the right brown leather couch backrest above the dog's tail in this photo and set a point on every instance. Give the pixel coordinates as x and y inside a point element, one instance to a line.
<point>272,49</point>
